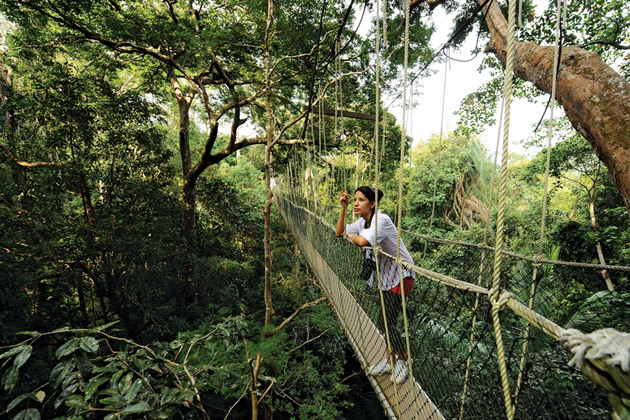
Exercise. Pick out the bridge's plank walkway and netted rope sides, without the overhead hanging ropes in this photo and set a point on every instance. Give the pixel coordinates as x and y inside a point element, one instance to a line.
<point>455,374</point>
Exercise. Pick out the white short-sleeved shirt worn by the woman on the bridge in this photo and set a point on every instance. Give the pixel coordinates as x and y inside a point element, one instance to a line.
<point>387,240</point>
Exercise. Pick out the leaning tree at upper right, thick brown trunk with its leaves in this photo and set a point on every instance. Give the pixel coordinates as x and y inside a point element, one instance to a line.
<point>595,97</point>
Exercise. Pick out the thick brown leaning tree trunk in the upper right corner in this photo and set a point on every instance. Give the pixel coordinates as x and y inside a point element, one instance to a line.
<point>595,98</point>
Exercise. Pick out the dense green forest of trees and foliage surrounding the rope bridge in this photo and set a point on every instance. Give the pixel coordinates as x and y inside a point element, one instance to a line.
<point>139,144</point>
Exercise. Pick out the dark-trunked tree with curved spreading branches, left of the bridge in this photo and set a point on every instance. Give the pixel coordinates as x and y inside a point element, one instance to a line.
<point>207,53</point>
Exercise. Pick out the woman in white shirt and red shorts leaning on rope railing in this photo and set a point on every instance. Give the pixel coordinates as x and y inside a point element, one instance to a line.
<point>363,233</point>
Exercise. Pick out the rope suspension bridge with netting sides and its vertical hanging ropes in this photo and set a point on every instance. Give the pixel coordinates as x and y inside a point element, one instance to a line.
<point>481,324</point>
